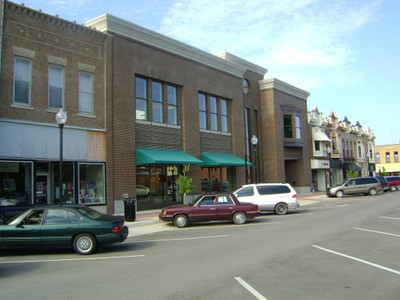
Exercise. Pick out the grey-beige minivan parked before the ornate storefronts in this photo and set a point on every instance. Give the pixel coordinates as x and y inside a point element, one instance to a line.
<point>353,186</point>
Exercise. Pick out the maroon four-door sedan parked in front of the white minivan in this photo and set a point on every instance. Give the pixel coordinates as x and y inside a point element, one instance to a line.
<point>210,207</point>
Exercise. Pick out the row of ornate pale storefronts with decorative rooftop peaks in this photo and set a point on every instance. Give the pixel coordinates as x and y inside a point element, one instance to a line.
<point>339,147</point>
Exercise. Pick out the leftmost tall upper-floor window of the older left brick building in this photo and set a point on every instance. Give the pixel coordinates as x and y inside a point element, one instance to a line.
<point>22,81</point>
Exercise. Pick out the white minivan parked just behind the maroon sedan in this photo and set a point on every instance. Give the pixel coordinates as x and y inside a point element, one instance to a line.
<point>276,197</point>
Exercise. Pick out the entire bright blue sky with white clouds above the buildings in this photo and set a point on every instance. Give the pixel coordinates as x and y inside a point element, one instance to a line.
<point>345,53</point>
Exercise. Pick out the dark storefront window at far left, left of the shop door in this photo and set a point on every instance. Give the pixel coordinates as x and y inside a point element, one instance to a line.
<point>16,182</point>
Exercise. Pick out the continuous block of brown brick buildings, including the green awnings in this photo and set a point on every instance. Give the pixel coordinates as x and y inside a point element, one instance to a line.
<point>140,107</point>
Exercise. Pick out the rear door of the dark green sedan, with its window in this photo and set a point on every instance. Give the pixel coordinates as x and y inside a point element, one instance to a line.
<point>58,227</point>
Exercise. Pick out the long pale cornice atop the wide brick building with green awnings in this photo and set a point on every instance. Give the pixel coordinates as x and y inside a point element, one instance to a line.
<point>111,24</point>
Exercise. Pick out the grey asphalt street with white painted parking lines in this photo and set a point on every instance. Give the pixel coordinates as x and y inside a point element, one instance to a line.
<point>334,249</point>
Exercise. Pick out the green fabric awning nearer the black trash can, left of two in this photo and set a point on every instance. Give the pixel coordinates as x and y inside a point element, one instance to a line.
<point>164,157</point>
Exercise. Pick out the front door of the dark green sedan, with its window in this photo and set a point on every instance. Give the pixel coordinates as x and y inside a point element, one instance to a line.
<point>25,231</point>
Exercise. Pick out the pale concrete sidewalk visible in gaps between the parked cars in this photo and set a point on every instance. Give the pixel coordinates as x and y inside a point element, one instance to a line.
<point>147,221</point>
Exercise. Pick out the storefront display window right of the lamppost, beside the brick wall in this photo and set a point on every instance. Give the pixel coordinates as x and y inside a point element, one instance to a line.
<point>91,184</point>
